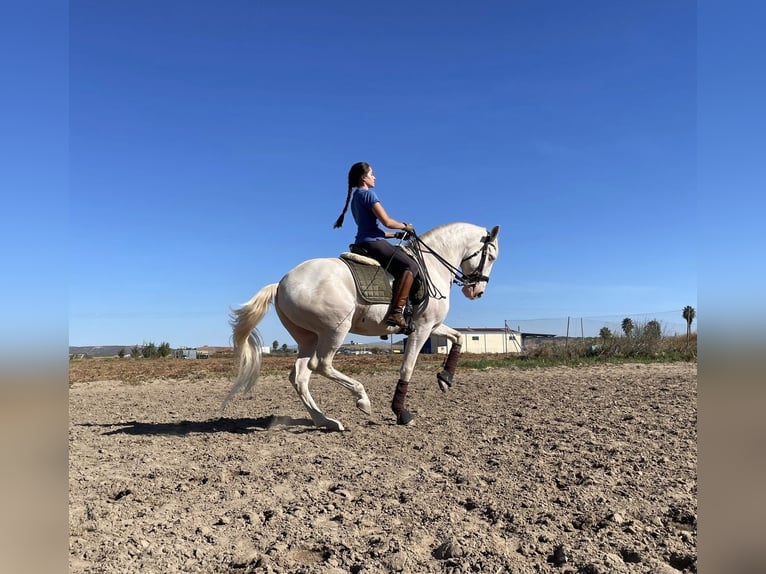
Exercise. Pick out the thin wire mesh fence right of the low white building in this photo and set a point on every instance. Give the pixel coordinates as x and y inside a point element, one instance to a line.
<point>671,323</point>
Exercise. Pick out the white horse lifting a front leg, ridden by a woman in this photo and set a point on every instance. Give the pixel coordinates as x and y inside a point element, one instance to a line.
<point>319,305</point>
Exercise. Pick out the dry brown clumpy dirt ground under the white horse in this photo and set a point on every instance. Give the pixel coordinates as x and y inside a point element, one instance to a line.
<point>590,469</point>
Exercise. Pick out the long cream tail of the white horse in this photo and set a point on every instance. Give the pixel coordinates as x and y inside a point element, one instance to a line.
<point>247,340</point>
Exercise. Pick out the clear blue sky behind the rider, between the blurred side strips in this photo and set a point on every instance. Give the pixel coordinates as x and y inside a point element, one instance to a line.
<point>209,145</point>
